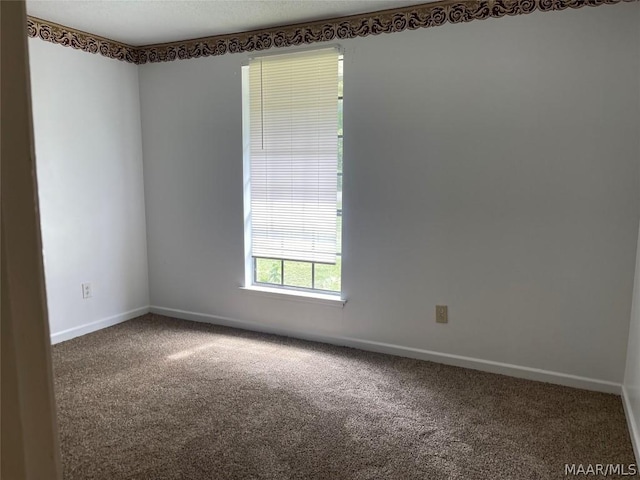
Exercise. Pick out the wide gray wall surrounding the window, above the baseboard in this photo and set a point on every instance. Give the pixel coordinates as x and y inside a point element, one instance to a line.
<point>490,166</point>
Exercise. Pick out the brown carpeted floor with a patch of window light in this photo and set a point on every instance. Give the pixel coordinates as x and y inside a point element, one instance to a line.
<point>157,398</point>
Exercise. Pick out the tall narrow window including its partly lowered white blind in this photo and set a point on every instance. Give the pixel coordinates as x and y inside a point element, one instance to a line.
<point>292,128</point>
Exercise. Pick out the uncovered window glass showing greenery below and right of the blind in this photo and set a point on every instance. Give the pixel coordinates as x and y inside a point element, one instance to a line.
<point>310,275</point>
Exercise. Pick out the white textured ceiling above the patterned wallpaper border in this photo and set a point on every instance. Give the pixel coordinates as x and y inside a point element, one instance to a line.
<point>142,22</point>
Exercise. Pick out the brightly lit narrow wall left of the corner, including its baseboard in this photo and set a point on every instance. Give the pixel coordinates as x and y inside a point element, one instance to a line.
<point>86,118</point>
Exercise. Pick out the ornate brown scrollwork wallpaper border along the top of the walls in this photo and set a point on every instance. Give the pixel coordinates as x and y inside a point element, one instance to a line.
<point>385,21</point>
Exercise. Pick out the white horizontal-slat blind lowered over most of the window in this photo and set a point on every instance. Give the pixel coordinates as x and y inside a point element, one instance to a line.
<point>294,151</point>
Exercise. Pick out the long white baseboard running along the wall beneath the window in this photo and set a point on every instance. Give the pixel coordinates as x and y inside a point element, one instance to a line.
<point>398,350</point>
